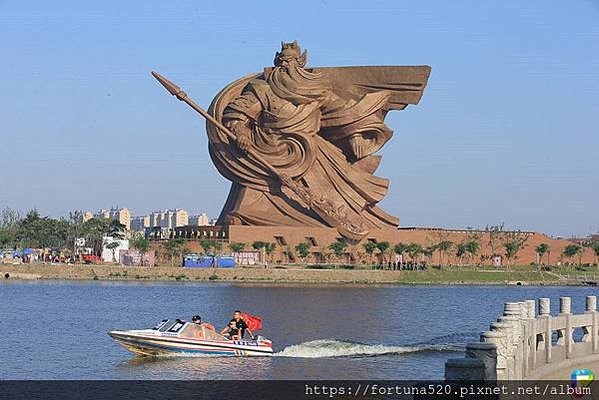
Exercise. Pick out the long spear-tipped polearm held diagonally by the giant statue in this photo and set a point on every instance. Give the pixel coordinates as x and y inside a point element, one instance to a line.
<point>322,206</point>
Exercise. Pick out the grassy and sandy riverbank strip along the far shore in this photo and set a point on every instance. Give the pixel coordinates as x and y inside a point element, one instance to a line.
<point>287,275</point>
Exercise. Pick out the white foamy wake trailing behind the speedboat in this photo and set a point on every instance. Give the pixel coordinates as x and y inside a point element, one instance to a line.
<point>326,348</point>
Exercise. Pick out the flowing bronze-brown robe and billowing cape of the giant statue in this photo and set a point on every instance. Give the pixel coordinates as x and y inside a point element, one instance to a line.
<point>305,132</point>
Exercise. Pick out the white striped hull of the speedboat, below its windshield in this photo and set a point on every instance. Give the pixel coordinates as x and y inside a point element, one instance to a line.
<point>150,344</point>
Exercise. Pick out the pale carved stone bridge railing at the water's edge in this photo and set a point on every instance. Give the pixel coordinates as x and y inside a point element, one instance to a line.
<point>523,345</point>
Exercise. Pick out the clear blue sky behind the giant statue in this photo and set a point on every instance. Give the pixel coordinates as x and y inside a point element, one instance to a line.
<point>507,130</point>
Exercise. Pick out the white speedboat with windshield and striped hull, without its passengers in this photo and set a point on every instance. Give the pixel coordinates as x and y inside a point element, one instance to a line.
<point>178,337</point>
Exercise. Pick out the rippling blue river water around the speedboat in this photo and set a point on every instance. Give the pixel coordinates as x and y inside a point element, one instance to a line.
<point>57,329</point>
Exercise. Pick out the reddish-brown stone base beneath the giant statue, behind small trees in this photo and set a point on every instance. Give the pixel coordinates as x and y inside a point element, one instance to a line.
<point>288,237</point>
